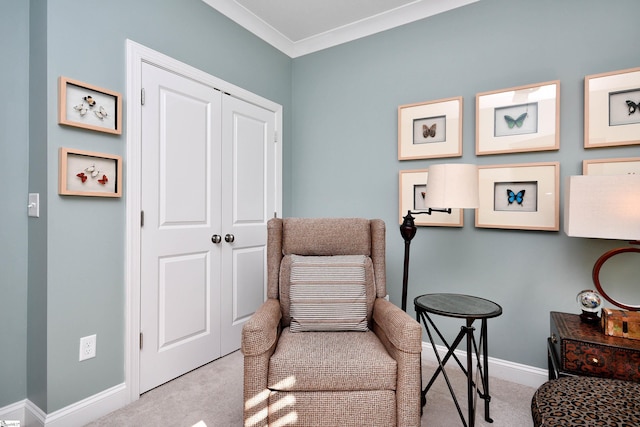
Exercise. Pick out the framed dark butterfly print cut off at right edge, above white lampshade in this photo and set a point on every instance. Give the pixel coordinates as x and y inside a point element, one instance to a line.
<point>612,109</point>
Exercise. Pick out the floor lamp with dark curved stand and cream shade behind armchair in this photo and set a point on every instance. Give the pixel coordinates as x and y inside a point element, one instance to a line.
<point>449,186</point>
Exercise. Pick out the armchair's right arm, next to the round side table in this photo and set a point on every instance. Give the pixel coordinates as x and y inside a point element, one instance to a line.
<point>404,332</point>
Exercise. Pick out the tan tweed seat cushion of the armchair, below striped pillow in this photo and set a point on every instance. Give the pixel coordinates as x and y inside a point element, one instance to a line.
<point>331,361</point>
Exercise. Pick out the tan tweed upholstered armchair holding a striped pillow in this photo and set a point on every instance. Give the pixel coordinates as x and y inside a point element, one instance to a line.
<point>327,348</point>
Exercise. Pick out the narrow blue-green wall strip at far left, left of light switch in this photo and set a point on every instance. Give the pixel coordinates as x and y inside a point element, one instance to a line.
<point>14,149</point>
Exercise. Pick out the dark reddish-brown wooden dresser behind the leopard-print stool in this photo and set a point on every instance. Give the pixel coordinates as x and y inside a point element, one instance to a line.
<point>577,348</point>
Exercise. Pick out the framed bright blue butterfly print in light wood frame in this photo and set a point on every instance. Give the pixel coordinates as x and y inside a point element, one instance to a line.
<point>519,196</point>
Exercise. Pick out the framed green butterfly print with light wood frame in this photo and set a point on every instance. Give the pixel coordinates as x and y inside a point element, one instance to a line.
<point>520,119</point>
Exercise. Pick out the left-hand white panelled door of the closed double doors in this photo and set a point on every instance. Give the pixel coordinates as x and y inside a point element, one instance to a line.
<point>180,266</point>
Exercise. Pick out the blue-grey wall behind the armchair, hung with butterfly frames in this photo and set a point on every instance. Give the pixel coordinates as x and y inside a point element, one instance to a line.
<point>344,155</point>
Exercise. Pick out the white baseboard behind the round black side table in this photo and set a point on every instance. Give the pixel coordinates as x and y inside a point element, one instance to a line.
<point>503,369</point>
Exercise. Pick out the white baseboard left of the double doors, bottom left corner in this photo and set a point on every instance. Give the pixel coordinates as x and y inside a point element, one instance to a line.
<point>76,414</point>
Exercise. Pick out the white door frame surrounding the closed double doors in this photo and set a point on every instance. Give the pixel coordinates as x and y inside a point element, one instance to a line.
<point>136,55</point>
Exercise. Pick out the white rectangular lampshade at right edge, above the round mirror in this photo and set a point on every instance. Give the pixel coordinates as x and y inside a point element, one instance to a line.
<point>602,206</point>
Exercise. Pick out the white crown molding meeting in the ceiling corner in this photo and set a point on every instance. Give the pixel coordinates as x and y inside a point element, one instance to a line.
<point>411,12</point>
